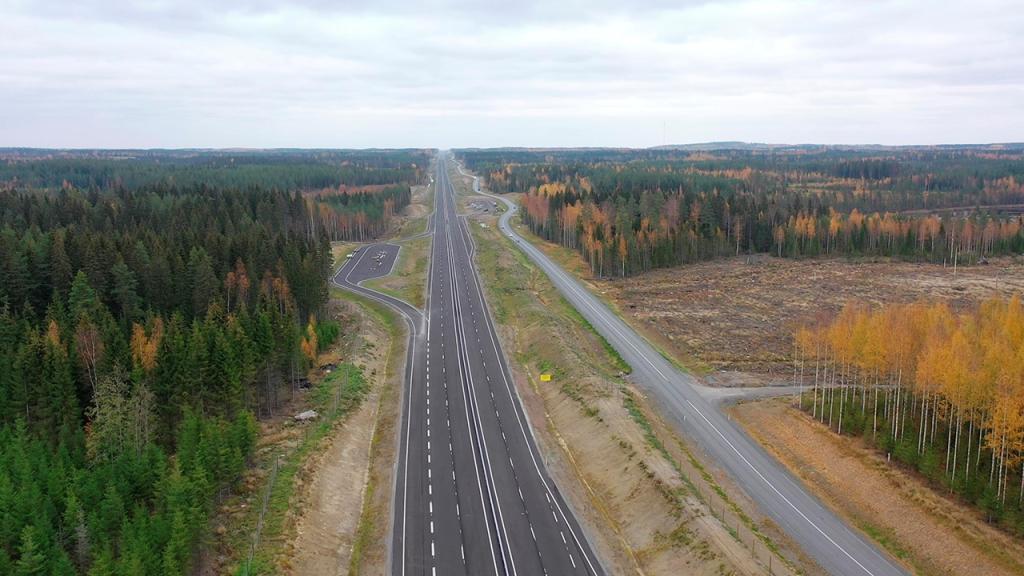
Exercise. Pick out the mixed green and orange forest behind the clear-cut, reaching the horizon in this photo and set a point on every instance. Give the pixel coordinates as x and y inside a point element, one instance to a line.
<point>629,212</point>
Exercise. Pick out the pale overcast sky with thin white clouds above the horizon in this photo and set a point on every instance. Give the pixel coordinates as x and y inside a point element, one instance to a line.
<point>408,73</point>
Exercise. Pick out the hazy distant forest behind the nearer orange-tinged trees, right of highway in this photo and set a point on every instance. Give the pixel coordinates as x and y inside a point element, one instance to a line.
<point>871,180</point>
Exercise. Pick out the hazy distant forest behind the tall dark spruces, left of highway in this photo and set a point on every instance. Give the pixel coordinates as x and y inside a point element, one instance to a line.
<point>358,192</point>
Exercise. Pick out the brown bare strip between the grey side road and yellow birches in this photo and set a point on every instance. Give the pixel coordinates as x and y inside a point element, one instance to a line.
<point>932,533</point>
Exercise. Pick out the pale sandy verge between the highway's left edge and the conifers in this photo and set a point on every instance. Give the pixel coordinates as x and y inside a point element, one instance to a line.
<point>332,497</point>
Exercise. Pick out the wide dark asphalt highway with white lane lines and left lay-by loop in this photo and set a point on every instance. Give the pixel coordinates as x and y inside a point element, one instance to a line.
<point>472,493</point>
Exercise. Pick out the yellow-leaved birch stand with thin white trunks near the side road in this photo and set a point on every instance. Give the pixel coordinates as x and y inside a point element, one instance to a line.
<point>943,393</point>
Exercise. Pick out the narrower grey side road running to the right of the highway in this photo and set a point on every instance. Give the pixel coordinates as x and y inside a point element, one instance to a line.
<point>821,533</point>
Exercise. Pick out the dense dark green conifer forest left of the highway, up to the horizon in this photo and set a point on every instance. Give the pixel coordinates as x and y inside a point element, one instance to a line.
<point>153,307</point>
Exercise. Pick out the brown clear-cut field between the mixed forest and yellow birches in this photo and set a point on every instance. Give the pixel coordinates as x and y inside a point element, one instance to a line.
<point>739,314</point>
